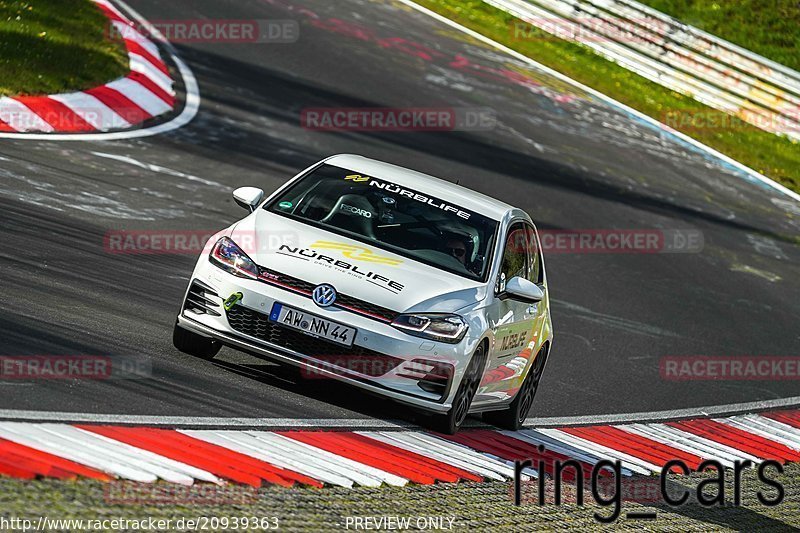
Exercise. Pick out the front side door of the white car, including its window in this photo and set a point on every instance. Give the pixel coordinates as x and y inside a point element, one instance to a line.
<point>512,322</point>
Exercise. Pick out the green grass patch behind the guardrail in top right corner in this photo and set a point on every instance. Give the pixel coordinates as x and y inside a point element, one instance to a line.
<point>767,27</point>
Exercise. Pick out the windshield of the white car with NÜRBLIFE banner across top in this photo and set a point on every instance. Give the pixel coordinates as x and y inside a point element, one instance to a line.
<point>405,221</point>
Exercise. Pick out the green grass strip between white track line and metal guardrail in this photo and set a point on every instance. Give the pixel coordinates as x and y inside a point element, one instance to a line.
<point>773,156</point>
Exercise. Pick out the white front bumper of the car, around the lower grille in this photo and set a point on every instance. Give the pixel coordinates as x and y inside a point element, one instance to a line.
<point>396,377</point>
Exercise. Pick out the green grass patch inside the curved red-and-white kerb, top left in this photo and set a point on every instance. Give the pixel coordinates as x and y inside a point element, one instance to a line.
<point>52,46</point>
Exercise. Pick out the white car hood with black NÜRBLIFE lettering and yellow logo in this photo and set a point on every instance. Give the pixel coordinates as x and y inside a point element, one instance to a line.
<point>362,271</point>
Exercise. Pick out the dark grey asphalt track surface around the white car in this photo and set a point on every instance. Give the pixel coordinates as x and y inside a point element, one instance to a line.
<point>570,160</point>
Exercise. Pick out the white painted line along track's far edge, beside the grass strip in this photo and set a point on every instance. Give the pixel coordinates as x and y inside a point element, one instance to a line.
<point>638,114</point>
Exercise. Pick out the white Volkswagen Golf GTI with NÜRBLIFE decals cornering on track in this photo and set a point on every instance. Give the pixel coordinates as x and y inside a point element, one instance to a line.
<point>397,282</point>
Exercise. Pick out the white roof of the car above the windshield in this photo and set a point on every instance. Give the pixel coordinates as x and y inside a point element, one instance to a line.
<point>424,183</point>
